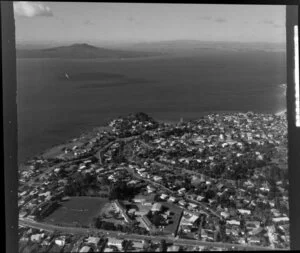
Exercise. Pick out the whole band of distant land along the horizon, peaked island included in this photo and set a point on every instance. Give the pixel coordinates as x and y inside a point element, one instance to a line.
<point>143,49</point>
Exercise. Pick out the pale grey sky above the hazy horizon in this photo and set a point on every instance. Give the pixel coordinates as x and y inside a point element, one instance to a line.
<point>94,23</point>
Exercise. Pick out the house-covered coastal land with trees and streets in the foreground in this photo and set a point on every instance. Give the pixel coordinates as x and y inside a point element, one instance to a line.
<point>216,183</point>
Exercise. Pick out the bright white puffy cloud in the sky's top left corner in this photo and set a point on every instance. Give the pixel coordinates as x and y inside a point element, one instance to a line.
<point>31,9</point>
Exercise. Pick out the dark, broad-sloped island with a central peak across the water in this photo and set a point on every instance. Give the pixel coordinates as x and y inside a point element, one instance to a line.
<point>80,51</point>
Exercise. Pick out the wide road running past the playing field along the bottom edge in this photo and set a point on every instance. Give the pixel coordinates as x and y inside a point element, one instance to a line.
<point>86,231</point>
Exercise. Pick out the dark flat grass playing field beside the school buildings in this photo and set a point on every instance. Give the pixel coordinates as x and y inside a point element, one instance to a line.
<point>77,211</point>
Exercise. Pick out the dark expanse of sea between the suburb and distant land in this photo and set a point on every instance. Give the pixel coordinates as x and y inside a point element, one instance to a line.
<point>53,109</point>
